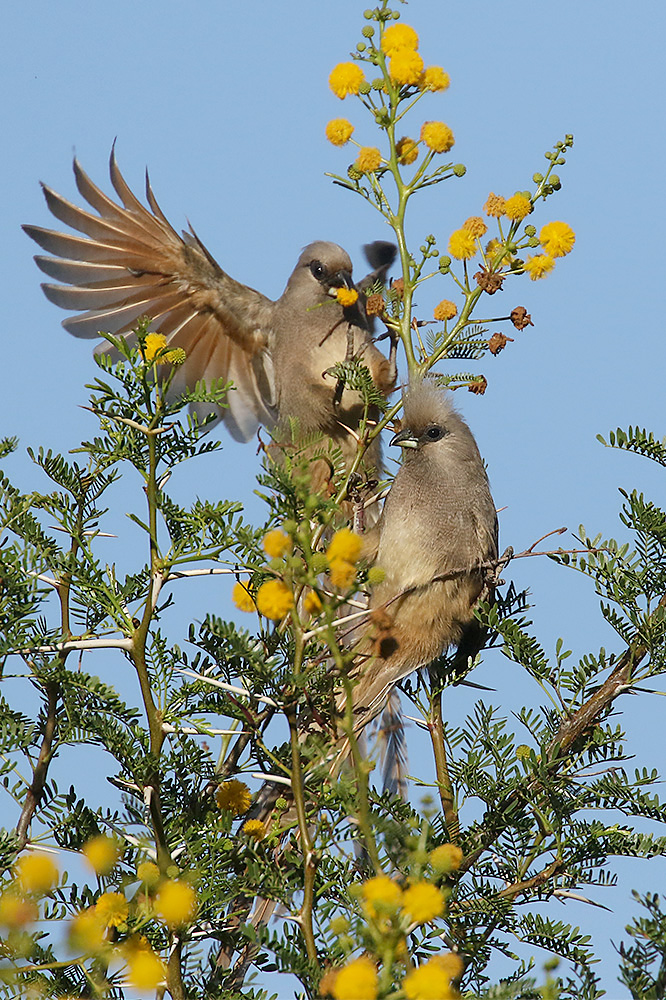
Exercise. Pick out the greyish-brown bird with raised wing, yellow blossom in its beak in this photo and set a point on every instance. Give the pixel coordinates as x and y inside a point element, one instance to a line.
<point>130,263</point>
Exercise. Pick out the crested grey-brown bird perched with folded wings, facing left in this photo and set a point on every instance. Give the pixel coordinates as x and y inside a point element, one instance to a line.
<point>437,530</point>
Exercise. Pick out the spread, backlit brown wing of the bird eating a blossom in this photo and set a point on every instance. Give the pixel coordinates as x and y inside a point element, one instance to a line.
<point>131,263</point>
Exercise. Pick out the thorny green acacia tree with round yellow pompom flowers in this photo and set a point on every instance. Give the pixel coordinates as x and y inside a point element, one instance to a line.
<point>375,896</point>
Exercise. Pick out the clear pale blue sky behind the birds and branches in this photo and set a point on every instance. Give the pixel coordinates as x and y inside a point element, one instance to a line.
<point>227,103</point>
